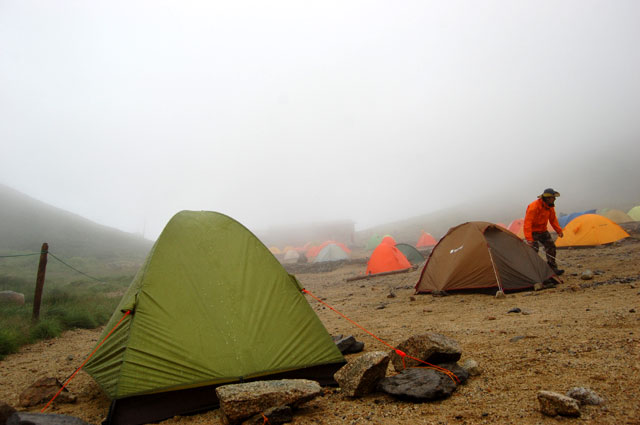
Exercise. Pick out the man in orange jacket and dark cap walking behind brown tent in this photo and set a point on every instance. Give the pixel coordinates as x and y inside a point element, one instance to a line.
<point>539,213</point>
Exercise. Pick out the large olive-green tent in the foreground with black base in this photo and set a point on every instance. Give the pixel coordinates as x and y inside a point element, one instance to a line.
<point>210,306</point>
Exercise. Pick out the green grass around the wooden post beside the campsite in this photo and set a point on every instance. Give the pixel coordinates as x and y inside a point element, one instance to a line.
<point>81,304</point>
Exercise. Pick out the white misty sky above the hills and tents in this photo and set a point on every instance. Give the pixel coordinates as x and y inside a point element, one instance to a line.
<point>126,112</point>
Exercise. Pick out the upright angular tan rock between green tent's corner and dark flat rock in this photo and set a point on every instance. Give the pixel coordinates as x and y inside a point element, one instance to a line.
<point>362,375</point>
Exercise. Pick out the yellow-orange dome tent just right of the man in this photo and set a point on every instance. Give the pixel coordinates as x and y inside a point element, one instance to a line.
<point>590,230</point>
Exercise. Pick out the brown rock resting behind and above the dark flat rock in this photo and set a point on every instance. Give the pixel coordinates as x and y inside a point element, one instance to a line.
<point>432,348</point>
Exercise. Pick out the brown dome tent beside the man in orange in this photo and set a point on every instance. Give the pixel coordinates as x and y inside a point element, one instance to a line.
<point>481,256</point>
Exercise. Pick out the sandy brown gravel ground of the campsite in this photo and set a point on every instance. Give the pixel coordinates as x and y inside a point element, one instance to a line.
<point>581,333</point>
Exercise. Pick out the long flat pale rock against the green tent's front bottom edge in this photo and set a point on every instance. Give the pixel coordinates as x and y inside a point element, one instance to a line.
<point>241,401</point>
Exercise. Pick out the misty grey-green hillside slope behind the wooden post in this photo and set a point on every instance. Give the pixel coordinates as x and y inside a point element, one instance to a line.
<point>25,223</point>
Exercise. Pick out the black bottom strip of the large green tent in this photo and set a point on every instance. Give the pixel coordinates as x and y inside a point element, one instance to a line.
<point>148,408</point>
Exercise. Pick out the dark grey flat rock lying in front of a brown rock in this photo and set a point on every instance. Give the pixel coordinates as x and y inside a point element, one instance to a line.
<point>418,384</point>
